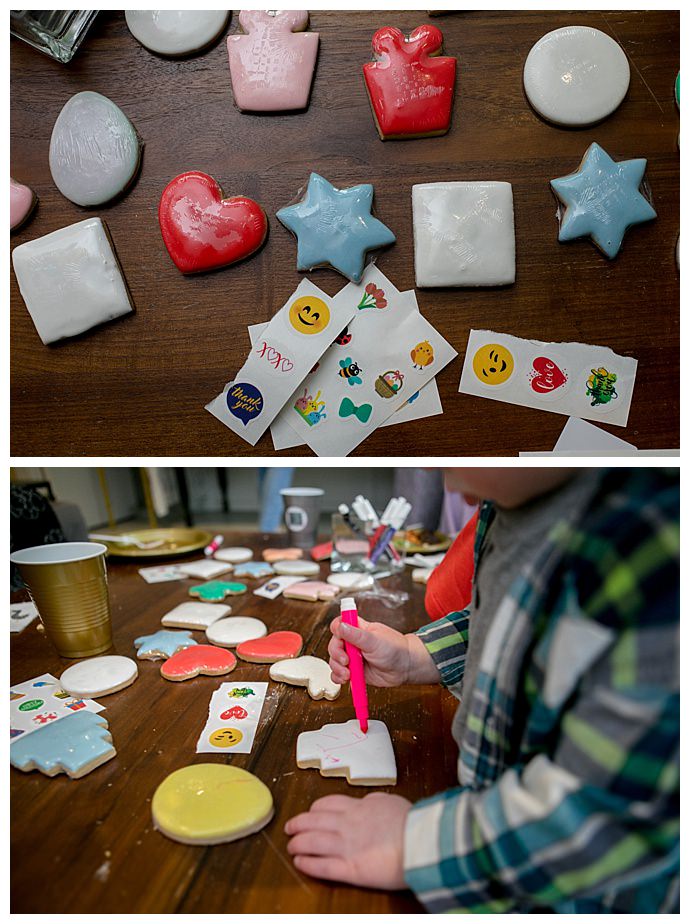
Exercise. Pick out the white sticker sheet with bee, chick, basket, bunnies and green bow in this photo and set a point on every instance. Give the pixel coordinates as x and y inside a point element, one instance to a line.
<point>374,368</point>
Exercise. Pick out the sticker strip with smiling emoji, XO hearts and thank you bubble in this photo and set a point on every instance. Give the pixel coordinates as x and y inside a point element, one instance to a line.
<point>291,344</point>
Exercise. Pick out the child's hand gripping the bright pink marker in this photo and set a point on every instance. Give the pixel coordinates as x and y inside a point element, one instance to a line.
<point>390,658</point>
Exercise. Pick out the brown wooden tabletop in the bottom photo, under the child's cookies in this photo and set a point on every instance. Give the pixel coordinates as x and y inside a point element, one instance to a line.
<point>64,831</point>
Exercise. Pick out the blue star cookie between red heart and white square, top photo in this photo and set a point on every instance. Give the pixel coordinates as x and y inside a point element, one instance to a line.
<point>335,226</point>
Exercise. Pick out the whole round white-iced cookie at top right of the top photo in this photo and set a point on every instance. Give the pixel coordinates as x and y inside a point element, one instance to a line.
<point>576,76</point>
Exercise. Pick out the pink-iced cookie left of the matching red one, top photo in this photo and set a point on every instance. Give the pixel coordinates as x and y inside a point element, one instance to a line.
<point>271,67</point>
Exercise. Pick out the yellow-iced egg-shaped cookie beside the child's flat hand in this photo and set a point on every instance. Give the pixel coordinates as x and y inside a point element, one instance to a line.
<point>211,804</point>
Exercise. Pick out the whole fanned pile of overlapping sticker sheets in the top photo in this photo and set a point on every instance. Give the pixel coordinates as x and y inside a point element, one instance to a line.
<point>328,371</point>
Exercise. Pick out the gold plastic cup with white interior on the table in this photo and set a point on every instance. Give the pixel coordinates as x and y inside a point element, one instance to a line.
<point>68,583</point>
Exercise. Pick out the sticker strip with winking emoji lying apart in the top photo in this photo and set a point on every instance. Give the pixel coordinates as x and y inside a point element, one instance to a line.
<point>565,378</point>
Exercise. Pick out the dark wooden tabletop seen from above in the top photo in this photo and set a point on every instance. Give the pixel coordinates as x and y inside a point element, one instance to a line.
<point>138,386</point>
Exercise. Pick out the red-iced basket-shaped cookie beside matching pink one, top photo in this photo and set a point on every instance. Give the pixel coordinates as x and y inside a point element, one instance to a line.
<point>411,92</point>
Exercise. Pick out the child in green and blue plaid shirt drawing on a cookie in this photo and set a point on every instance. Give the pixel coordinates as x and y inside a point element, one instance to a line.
<point>566,668</point>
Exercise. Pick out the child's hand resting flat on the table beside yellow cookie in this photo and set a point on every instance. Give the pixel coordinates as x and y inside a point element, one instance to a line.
<point>359,841</point>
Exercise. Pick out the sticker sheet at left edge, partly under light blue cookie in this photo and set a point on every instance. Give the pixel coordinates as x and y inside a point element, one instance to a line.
<point>40,701</point>
